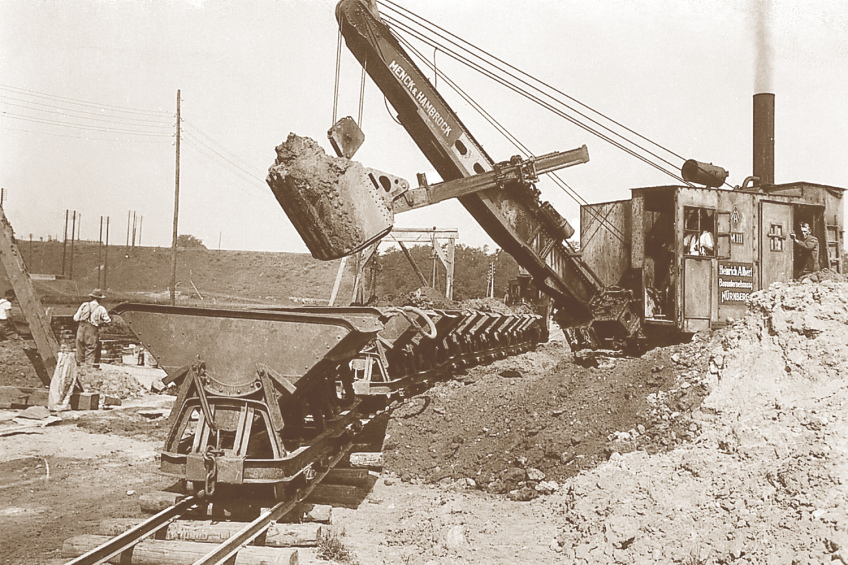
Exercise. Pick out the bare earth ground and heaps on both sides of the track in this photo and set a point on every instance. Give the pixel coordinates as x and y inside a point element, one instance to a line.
<point>730,449</point>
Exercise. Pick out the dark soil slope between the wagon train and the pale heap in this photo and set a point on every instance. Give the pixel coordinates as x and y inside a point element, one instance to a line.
<point>531,421</point>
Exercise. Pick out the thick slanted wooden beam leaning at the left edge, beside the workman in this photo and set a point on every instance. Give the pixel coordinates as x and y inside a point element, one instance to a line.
<point>16,273</point>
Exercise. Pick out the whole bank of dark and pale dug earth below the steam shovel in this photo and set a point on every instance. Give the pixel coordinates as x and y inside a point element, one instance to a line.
<point>730,449</point>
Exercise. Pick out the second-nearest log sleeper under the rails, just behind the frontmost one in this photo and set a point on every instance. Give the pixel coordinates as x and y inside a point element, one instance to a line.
<point>278,535</point>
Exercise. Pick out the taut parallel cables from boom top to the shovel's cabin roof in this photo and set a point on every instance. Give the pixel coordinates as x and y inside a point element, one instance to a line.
<point>476,66</point>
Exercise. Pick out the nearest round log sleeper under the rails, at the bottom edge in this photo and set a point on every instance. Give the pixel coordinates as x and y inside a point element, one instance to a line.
<point>155,552</point>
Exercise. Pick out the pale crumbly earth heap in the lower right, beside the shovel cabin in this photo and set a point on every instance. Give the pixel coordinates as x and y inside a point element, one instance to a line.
<point>766,480</point>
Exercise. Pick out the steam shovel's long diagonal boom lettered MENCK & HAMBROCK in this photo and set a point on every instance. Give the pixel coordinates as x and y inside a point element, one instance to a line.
<point>515,219</point>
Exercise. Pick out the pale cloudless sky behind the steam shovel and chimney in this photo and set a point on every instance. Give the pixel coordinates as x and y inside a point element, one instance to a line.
<point>88,93</point>
